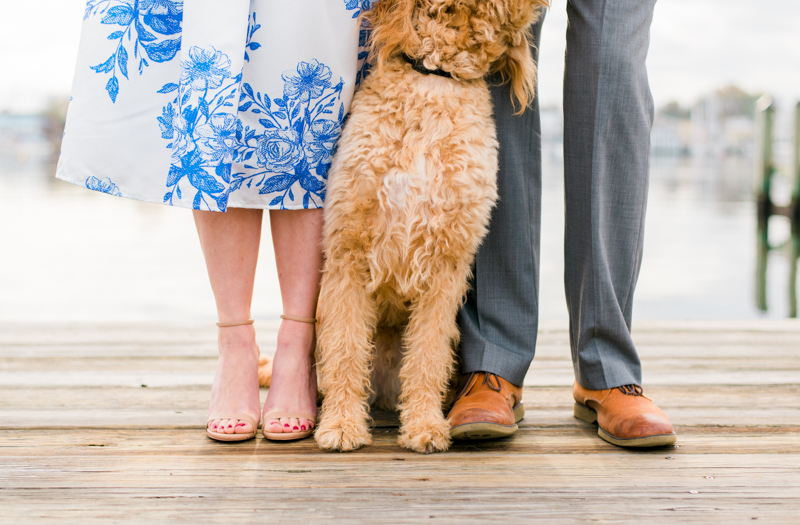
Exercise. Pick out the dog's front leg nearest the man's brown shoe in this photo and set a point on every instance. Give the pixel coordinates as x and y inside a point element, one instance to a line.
<point>428,361</point>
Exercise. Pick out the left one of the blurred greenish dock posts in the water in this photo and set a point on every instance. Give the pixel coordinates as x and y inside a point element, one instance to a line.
<point>765,112</point>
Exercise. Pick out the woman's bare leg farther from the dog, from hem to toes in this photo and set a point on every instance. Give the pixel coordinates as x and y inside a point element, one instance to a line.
<point>230,245</point>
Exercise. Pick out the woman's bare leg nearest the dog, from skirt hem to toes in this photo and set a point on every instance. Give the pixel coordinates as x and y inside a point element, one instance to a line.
<point>297,238</point>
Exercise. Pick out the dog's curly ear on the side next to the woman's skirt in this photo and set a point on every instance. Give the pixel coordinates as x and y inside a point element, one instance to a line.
<point>392,28</point>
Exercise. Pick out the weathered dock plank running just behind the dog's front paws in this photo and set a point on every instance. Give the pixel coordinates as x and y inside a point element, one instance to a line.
<point>186,407</point>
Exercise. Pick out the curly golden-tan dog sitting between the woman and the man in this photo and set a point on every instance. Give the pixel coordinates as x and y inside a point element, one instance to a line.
<point>409,199</point>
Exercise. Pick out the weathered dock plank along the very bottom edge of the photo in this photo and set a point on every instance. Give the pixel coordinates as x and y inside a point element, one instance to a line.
<point>409,505</point>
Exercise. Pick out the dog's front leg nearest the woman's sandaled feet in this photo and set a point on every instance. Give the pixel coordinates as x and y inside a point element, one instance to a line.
<point>347,318</point>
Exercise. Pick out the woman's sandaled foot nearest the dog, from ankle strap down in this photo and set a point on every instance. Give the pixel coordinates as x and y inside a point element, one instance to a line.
<point>294,379</point>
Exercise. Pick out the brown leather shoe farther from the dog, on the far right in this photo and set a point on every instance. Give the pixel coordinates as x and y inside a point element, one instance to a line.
<point>624,415</point>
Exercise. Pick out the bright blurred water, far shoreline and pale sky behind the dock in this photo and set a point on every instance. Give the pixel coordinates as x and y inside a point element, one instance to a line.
<point>69,254</point>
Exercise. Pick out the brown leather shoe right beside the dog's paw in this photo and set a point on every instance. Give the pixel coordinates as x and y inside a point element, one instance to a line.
<point>486,407</point>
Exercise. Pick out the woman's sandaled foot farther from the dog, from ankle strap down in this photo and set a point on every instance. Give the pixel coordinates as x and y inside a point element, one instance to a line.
<point>235,387</point>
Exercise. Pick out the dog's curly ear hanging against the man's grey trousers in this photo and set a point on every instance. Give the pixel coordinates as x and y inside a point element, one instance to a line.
<point>517,65</point>
